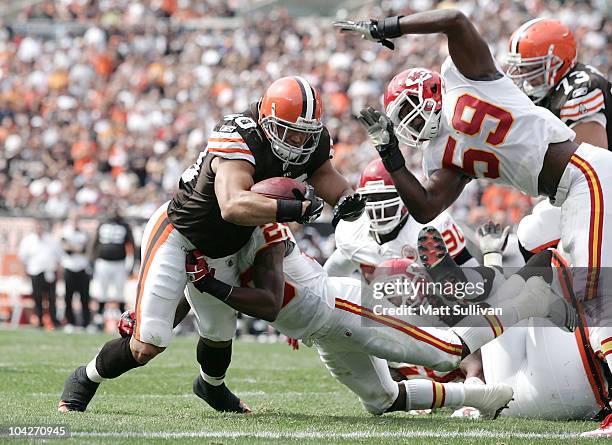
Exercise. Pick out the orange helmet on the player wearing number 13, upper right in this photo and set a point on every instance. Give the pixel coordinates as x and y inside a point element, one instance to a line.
<point>541,53</point>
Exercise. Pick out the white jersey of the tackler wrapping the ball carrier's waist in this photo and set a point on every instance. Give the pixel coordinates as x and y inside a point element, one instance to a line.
<point>307,303</point>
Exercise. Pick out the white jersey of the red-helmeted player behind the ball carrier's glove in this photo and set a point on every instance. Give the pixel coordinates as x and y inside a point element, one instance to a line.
<point>353,239</point>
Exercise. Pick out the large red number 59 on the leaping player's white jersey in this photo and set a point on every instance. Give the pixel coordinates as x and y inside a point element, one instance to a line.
<point>477,110</point>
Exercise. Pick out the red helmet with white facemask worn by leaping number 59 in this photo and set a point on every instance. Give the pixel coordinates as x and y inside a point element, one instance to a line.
<point>413,102</point>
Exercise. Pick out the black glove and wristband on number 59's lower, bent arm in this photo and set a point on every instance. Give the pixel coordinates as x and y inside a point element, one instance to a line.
<point>381,132</point>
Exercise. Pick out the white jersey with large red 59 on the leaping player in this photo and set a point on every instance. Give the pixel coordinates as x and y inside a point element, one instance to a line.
<point>490,129</point>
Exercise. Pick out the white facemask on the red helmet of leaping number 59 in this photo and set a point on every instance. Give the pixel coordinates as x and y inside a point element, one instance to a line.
<point>415,119</point>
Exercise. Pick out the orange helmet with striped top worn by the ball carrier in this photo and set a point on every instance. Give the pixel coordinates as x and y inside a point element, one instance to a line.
<point>290,115</point>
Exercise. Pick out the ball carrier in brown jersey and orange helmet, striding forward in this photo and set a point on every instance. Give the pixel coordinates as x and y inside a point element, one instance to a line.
<point>215,212</point>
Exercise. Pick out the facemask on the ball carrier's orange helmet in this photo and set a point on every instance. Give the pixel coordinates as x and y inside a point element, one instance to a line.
<point>292,142</point>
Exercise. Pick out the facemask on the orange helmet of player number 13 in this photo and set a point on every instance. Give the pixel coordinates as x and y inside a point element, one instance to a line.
<point>535,76</point>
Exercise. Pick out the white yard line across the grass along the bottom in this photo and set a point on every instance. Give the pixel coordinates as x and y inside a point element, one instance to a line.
<point>329,435</point>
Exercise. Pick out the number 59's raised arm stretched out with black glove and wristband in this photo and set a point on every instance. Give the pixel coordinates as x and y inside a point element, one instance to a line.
<point>467,48</point>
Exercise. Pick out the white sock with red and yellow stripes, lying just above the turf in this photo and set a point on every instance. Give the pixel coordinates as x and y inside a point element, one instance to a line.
<point>426,394</point>
